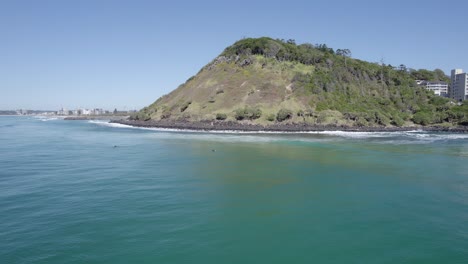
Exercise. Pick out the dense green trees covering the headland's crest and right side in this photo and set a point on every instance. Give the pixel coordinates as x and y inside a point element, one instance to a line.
<point>367,93</point>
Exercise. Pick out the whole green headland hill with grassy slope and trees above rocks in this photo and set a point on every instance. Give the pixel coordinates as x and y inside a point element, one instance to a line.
<point>266,81</point>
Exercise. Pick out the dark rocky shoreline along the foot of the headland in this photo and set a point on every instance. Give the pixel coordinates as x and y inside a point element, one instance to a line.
<point>277,127</point>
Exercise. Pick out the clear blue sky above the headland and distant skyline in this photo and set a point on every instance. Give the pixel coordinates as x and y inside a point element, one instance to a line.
<point>126,54</point>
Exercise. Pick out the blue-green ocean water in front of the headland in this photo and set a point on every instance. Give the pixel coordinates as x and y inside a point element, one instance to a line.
<point>92,192</point>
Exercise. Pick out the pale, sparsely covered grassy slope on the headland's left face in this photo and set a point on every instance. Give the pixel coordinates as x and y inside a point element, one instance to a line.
<point>227,86</point>
